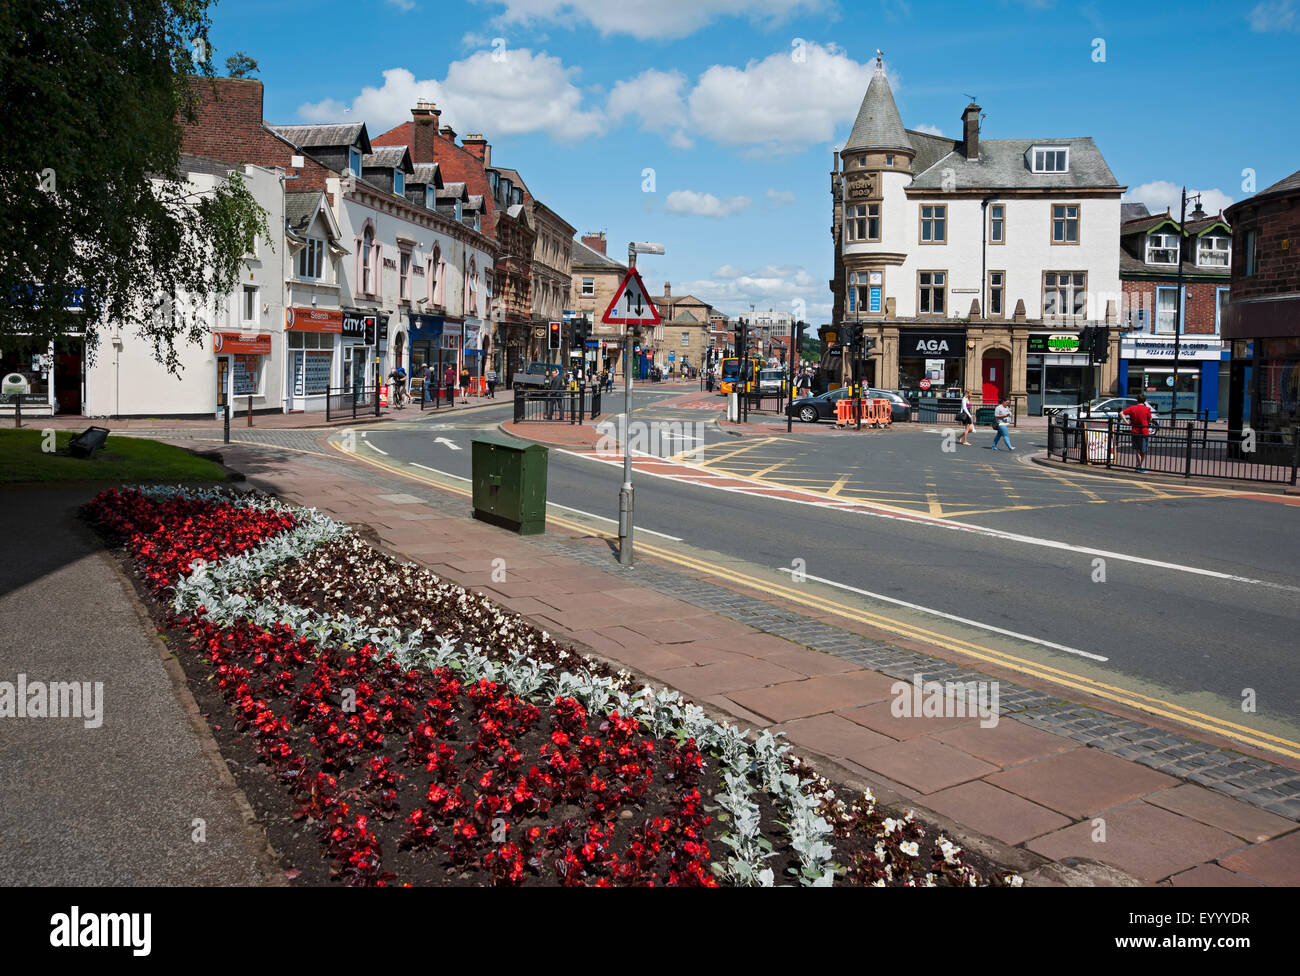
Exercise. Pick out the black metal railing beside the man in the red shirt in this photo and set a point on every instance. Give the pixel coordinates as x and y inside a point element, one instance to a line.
<point>1186,449</point>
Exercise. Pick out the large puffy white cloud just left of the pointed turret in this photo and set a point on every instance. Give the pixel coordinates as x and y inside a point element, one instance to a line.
<point>779,103</point>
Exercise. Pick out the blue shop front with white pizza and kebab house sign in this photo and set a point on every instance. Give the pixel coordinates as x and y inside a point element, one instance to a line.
<point>1147,366</point>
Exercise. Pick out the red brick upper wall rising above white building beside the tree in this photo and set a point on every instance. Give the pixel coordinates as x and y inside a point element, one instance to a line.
<point>229,128</point>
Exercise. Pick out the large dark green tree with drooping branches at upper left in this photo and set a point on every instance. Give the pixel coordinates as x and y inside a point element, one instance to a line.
<point>98,227</point>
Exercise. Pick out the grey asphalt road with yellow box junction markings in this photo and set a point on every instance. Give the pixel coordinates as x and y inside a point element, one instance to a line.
<point>1190,597</point>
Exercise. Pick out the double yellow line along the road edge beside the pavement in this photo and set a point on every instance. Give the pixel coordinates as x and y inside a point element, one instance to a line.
<point>1112,693</point>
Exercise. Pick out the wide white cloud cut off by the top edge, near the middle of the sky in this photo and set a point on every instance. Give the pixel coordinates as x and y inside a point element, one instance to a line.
<point>665,20</point>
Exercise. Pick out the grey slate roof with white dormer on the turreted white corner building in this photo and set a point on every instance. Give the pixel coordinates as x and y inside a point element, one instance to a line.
<point>1002,166</point>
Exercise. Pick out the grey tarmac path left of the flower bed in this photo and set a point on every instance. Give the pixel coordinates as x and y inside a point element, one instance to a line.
<point>116,804</point>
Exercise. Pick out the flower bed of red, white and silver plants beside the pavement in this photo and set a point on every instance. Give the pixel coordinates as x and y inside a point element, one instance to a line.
<point>405,730</point>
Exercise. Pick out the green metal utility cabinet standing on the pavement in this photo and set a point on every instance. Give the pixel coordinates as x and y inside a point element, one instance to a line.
<point>510,484</point>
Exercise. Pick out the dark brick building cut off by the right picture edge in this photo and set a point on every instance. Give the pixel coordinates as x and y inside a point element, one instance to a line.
<point>1263,322</point>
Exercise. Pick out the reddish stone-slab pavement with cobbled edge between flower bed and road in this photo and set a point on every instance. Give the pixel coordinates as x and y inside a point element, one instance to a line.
<point>1029,791</point>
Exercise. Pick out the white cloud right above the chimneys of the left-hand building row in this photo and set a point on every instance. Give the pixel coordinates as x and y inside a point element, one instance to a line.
<point>521,93</point>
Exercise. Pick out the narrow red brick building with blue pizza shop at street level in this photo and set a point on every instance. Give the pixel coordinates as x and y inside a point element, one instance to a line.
<point>1154,254</point>
